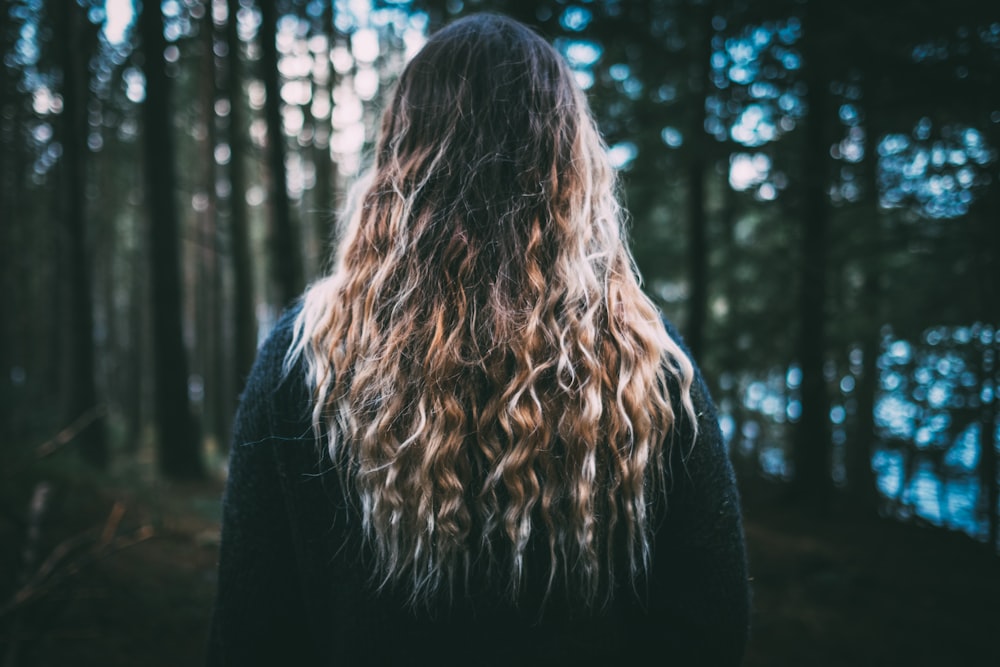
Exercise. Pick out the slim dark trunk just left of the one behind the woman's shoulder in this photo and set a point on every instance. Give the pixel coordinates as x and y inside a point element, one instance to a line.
<point>244,316</point>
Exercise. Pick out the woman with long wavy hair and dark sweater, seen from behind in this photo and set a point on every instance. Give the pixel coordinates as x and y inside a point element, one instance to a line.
<point>476,442</point>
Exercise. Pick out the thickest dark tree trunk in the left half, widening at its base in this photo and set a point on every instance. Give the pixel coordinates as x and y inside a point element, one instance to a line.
<point>179,448</point>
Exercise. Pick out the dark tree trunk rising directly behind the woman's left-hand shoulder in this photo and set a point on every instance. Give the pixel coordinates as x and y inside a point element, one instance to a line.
<point>286,255</point>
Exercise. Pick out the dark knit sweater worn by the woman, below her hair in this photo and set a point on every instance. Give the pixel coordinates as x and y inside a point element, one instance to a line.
<point>294,574</point>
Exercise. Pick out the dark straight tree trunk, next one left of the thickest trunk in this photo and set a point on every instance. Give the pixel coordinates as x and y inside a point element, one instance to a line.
<point>76,37</point>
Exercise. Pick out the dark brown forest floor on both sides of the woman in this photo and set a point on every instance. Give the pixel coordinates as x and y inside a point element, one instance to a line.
<point>132,574</point>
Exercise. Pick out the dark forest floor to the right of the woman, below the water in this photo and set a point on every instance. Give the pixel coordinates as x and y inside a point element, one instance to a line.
<point>871,591</point>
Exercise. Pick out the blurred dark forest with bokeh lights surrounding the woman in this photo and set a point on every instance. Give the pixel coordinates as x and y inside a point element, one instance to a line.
<point>814,195</point>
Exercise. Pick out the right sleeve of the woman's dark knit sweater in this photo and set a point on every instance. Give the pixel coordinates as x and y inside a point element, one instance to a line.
<point>698,587</point>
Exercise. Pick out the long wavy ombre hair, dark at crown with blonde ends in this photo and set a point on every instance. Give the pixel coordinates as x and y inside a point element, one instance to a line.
<point>484,364</point>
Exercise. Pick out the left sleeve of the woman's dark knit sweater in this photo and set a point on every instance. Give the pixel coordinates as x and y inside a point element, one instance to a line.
<point>258,617</point>
